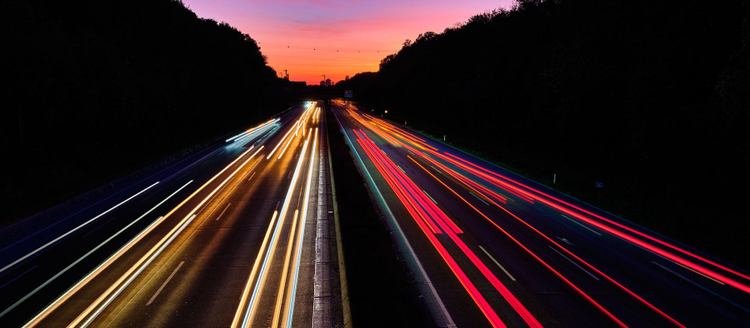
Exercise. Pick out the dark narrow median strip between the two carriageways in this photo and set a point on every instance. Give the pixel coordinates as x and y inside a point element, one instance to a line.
<point>380,290</point>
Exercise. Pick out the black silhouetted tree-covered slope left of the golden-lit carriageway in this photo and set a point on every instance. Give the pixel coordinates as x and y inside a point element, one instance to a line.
<point>92,88</point>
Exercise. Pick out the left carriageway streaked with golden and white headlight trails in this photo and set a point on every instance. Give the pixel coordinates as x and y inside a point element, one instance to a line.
<point>230,236</point>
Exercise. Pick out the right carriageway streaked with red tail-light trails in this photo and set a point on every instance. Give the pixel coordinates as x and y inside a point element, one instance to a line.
<point>489,248</point>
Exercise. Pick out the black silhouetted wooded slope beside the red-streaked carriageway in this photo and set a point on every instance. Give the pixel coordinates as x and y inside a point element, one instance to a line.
<point>649,97</point>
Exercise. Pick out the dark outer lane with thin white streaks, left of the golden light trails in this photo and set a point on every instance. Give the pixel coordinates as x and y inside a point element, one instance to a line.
<point>42,262</point>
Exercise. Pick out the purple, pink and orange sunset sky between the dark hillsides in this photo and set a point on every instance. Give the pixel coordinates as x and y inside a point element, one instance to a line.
<point>310,38</point>
